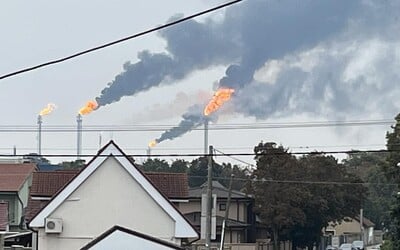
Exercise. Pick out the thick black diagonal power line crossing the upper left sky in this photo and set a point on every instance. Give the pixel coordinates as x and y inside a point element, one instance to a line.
<point>119,41</point>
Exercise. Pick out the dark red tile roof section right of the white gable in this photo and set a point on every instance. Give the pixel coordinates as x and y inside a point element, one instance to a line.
<point>172,185</point>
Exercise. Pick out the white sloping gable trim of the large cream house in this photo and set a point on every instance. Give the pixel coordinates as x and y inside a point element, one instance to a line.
<point>183,229</point>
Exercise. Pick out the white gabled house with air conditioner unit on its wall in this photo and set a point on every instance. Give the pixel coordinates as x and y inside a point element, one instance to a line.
<point>109,191</point>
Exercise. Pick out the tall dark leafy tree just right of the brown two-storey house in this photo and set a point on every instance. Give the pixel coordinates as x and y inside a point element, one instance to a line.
<point>278,198</point>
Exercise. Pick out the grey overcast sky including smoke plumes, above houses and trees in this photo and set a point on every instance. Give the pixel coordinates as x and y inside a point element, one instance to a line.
<point>288,61</point>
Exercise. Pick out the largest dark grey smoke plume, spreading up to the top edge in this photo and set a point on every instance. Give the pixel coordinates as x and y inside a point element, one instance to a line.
<point>249,34</point>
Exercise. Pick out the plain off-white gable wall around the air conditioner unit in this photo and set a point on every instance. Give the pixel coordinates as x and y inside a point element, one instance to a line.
<point>110,196</point>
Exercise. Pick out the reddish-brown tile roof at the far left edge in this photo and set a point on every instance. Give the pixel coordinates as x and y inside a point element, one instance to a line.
<point>13,176</point>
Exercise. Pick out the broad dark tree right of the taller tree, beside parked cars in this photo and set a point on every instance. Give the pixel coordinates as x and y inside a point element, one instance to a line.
<point>329,200</point>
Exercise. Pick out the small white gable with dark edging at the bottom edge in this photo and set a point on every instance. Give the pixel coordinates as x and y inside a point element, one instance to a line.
<point>125,232</point>
